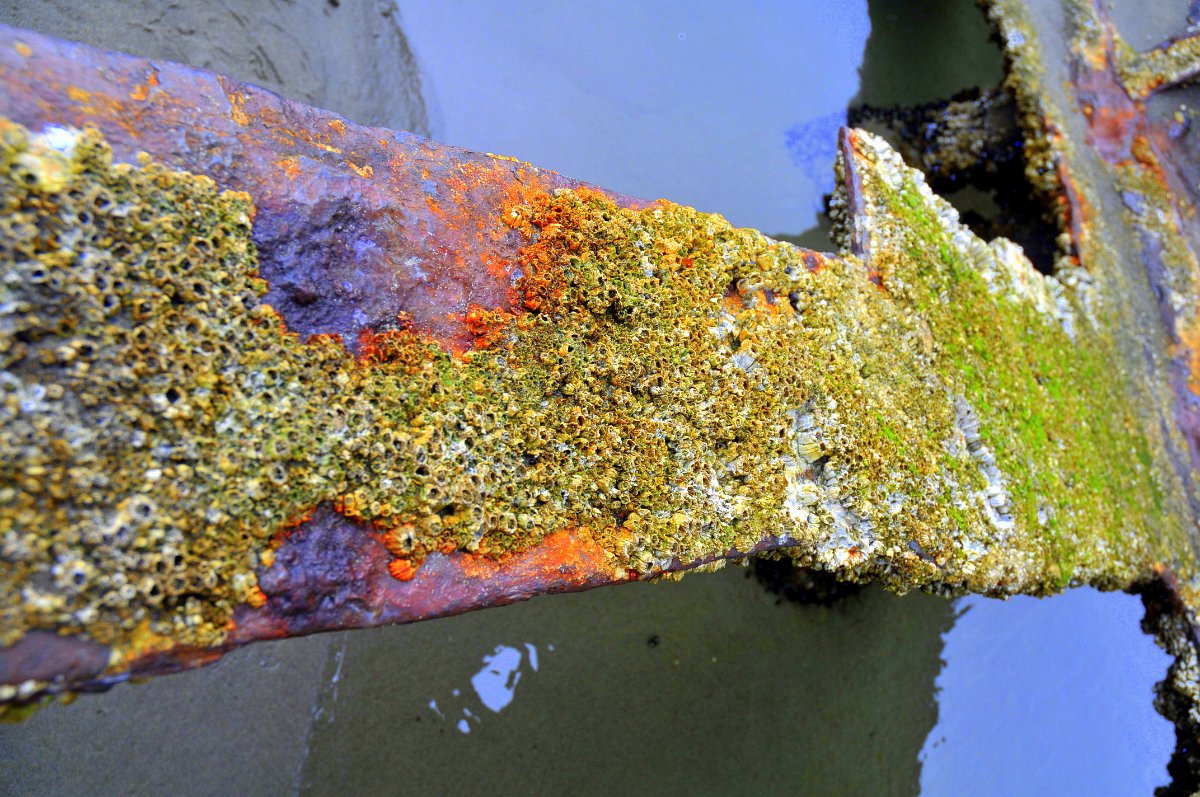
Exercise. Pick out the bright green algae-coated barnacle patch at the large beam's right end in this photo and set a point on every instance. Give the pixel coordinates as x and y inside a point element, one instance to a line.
<point>1065,424</point>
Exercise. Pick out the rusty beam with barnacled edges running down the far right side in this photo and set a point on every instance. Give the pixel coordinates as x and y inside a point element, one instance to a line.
<point>1124,178</point>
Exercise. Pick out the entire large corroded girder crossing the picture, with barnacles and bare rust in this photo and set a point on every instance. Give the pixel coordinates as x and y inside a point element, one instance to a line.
<point>463,381</point>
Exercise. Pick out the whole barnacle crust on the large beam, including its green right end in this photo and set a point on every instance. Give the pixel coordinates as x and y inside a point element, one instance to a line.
<point>933,414</point>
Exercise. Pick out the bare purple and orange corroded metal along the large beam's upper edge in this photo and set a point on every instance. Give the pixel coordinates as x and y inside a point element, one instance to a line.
<point>356,225</point>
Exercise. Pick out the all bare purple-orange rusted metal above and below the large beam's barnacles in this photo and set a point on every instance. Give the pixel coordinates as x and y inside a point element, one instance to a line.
<point>358,231</point>
